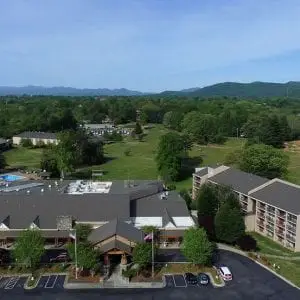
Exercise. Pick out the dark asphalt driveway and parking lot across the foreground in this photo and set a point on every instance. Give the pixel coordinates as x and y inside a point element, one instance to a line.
<point>250,282</point>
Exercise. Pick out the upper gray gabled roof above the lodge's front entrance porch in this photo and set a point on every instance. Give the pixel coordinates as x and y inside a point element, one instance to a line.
<point>116,227</point>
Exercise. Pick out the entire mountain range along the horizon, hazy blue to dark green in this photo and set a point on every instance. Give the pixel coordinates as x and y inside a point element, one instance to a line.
<point>229,89</point>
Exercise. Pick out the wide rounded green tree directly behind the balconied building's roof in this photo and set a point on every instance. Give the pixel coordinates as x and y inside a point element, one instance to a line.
<point>264,161</point>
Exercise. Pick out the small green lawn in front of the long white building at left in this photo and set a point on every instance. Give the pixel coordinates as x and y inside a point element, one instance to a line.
<point>23,157</point>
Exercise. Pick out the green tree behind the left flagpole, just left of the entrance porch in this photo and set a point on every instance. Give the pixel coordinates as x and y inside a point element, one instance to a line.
<point>86,255</point>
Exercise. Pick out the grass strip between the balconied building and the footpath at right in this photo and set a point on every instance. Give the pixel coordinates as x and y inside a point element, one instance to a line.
<point>267,246</point>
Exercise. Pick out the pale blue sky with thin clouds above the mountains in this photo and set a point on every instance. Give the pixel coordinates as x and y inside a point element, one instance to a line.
<point>148,45</point>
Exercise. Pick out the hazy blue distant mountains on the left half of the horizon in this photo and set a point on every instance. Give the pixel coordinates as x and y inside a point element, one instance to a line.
<point>64,91</point>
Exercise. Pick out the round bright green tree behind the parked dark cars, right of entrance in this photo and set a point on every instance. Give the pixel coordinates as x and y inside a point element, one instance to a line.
<point>196,247</point>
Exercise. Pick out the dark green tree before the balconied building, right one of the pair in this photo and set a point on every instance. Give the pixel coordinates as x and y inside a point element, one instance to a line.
<point>229,223</point>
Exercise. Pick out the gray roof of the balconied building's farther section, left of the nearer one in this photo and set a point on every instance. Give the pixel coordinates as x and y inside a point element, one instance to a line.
<point>238,180</point>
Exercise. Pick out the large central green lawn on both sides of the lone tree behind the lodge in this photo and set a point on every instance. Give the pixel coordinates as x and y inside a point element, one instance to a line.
<point>140,164</point>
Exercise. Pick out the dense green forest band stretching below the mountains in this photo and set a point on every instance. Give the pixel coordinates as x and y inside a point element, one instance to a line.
<point>206,120</point>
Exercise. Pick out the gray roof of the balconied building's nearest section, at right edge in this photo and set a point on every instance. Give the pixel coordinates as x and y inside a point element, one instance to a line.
<point>281,195</point>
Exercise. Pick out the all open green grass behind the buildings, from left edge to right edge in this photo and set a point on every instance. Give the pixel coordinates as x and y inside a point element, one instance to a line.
<point>140,163</point>
